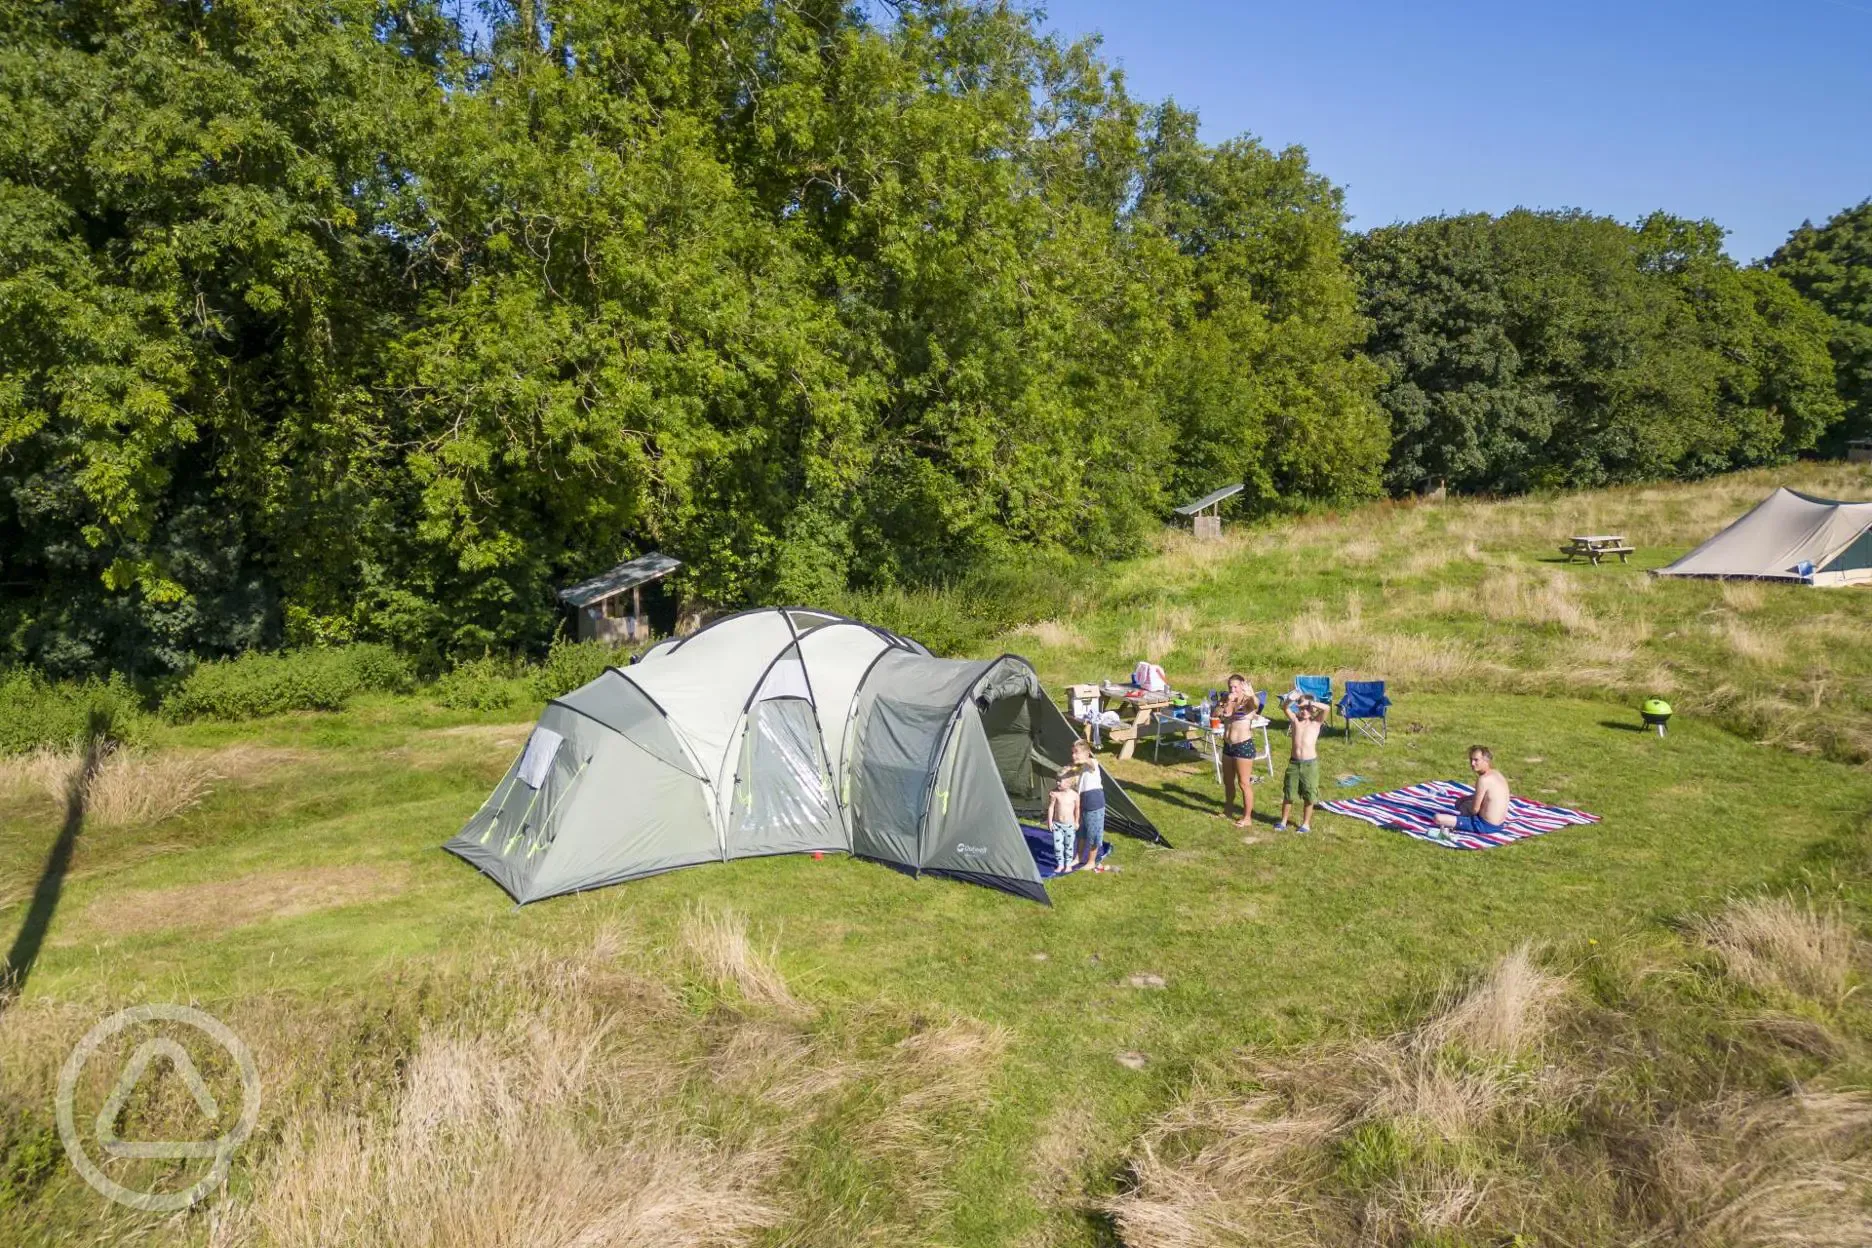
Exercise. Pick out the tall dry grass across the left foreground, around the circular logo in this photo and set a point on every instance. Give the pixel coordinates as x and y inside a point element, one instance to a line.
<point>533,1101</point>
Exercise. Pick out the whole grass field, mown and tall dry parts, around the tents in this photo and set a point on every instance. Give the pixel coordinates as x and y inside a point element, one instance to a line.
<point>1238,1041</point>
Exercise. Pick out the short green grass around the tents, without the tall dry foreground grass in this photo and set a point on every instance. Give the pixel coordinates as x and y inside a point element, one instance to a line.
<point>1272,944</point>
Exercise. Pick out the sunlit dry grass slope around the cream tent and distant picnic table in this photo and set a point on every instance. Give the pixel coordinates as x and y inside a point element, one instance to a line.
<point>1470,596</point>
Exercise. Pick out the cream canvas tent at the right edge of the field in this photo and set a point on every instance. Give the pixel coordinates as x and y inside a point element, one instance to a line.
<point>1789,536</point>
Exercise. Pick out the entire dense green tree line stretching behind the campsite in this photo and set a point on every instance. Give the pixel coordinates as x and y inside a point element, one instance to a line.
<point>336,321</point>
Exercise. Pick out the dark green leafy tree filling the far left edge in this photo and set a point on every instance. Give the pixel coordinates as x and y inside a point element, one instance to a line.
<point>194,302</point>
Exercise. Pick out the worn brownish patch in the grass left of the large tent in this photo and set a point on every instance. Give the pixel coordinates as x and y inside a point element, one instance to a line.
<point>224,905</point>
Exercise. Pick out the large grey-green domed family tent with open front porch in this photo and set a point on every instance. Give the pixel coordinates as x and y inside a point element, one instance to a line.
<point>783,733</point>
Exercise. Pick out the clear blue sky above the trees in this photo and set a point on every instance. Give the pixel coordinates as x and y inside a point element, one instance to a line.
<point>1757,113</point>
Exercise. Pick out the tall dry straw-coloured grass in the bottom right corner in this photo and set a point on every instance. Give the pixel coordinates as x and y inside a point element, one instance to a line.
<point>1508,1116</point>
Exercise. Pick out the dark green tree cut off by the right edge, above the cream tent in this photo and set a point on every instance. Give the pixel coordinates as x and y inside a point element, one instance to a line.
<point>1832,267</point>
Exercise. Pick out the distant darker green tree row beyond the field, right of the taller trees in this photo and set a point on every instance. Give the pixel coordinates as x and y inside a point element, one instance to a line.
<point>1555,349</point>
